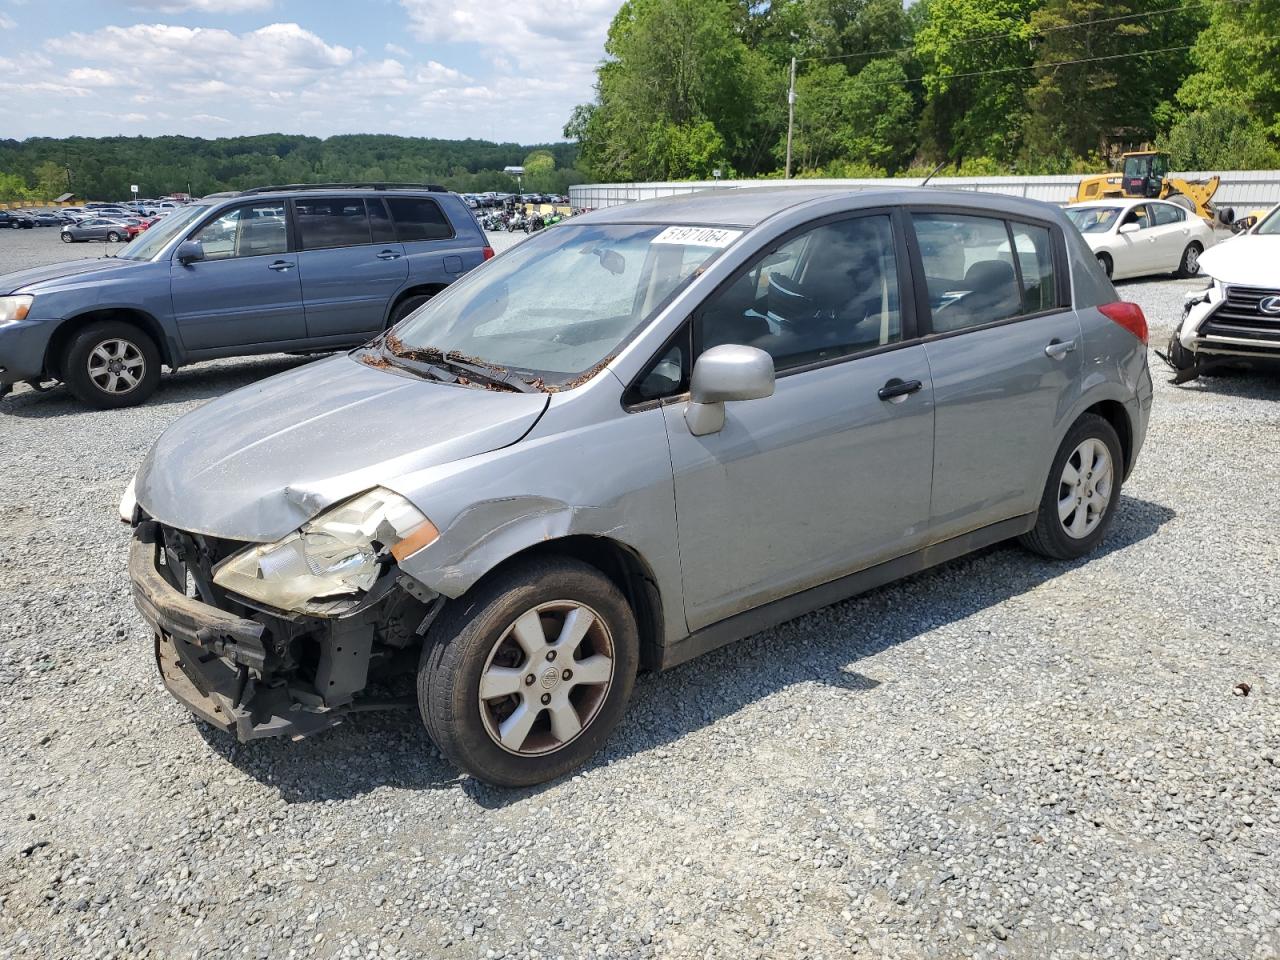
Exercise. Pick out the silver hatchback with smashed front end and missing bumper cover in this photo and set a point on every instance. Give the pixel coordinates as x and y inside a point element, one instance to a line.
<point>637,437</point>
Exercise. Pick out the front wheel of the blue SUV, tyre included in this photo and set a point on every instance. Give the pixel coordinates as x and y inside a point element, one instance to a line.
<point>112,364</point>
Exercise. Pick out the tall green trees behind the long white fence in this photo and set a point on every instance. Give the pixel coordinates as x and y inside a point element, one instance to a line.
<point>886,89</point>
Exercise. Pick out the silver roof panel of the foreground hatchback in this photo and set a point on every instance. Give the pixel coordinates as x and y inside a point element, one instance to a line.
<point>749,207</point>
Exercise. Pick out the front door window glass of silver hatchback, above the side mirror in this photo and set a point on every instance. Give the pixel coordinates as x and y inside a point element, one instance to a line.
<point>826,294</point>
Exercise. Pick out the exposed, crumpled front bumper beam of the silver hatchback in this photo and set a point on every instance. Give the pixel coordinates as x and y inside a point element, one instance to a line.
<point>216,662</point>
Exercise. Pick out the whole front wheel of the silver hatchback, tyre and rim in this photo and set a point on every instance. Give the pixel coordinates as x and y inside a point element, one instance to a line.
<point>527,680</point>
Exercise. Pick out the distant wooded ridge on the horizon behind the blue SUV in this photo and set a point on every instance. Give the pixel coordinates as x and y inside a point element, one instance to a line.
<point>104,168</point>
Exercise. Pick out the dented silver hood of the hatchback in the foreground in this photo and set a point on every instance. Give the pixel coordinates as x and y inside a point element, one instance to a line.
<point>258,464</point>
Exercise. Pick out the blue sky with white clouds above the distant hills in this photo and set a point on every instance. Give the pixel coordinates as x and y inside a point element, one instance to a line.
<point>492,70</point>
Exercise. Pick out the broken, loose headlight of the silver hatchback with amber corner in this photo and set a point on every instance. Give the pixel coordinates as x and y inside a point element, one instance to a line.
<point>339,554</point>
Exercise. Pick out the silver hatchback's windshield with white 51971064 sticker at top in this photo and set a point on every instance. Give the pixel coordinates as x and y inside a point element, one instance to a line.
<point>561,304</point>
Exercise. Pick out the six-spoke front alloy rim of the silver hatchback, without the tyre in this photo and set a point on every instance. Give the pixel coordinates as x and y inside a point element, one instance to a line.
<point>547,678</point>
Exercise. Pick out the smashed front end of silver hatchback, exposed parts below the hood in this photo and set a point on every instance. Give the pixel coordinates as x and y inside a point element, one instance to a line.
<point>257,670</point>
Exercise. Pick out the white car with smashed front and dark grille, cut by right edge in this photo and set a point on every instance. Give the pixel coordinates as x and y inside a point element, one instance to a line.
<point>1238,316</point>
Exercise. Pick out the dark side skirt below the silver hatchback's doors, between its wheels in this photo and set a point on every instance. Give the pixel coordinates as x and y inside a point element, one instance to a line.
<point>770,615</point>
